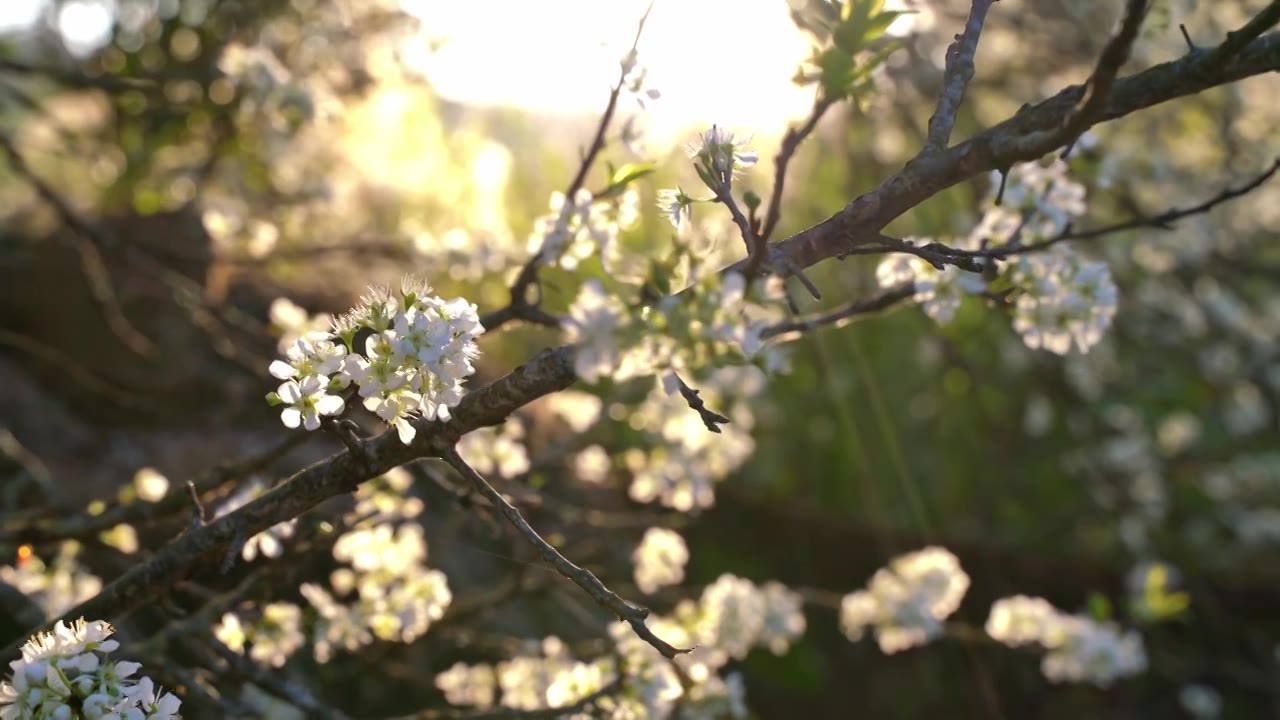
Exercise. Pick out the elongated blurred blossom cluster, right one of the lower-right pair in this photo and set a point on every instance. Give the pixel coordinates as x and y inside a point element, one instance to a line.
<point>1080,649</point>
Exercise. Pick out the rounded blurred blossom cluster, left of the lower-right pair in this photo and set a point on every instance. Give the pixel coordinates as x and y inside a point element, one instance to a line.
<point>907,603</point>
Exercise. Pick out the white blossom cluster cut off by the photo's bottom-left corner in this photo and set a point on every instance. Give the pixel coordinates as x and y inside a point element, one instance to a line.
<point>66,675</point>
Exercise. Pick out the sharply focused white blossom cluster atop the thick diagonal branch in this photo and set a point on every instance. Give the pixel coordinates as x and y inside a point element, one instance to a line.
<point>419,352</point>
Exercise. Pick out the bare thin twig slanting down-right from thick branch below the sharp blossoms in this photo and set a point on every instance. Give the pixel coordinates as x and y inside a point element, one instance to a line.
<point>583,578</point>
